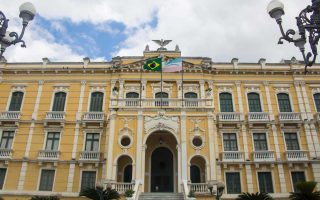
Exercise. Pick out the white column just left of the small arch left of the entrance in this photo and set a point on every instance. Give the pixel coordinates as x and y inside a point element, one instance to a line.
<point>110,145</point>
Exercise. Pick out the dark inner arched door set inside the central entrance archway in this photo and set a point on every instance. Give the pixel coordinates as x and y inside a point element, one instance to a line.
<point>162,170</point>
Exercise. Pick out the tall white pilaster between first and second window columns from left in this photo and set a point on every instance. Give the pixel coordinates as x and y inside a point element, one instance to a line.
<point>24,166</point>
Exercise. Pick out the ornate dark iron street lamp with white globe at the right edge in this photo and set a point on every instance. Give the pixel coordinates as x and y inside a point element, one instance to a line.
<point>308,23</point>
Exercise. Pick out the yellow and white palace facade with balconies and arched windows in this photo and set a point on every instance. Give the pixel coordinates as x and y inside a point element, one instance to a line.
<point>70,125</point>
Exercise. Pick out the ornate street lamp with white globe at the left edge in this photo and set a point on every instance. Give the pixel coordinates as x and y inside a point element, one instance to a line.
<point>7,38</point>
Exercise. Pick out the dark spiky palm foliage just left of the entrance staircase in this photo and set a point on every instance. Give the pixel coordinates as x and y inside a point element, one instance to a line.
<point>99,194</point>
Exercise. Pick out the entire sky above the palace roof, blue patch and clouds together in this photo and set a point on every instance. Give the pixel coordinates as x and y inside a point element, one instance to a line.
<point>68,30</point>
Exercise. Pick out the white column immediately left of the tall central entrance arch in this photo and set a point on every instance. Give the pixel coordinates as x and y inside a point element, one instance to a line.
<point>139,145</point>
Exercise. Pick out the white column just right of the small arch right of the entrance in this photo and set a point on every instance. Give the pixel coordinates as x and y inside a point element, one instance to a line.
<point>212,150</point>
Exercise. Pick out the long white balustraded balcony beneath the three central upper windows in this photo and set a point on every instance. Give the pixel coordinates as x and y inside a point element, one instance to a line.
<point>164,103</point>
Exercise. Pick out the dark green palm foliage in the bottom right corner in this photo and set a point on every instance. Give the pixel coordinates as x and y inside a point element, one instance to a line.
<point>306,191</point>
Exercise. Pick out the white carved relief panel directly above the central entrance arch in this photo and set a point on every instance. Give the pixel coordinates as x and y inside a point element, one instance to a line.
<point>161,123</point>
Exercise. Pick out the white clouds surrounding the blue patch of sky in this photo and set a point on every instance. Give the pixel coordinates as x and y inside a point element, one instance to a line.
<point>218,29</point>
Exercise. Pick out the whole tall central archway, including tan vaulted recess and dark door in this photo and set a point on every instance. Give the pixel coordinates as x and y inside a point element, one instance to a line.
<point>161,162</point>
